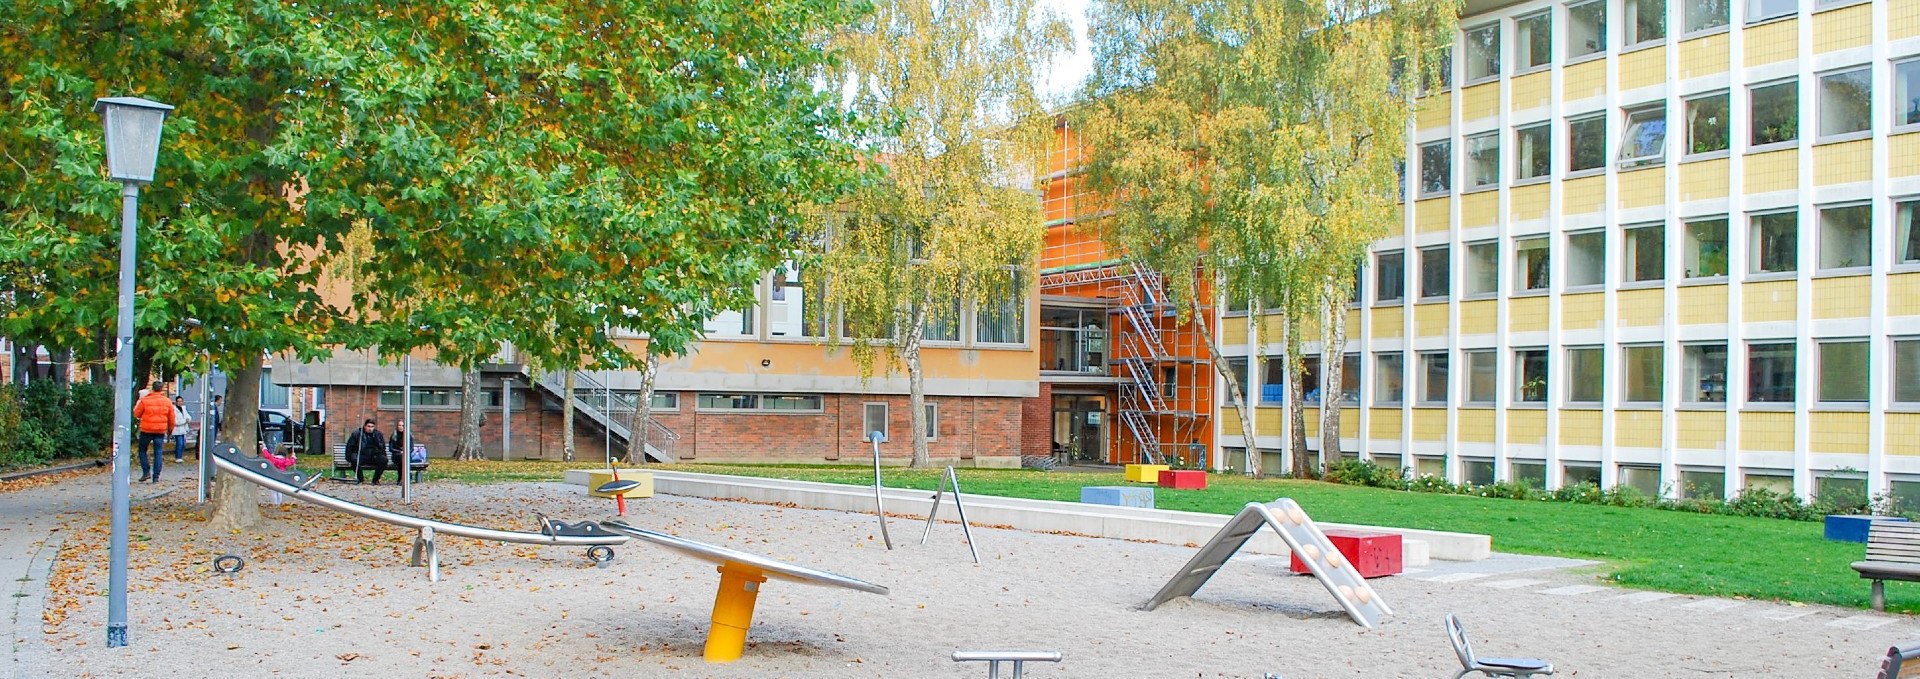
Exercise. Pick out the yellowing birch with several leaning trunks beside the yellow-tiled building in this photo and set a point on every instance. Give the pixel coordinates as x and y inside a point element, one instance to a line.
<point>1255,145</point>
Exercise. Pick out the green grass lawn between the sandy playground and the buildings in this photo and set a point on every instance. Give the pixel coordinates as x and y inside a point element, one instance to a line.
<point>1641,548</point>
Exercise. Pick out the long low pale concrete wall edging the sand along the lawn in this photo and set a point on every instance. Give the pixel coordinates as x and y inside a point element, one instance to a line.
<point>1118,523</point>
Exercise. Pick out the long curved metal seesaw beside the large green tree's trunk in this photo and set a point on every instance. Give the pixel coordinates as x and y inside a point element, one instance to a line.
<point>295,484</point>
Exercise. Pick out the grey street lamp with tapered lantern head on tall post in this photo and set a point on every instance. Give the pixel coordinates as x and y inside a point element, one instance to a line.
<point>133,145</point>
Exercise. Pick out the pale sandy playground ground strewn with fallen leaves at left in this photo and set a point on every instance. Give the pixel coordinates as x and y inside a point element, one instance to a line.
<point>325,596</point>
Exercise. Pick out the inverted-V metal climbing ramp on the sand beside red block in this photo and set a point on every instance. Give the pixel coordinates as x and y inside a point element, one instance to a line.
<point>1307,540</point>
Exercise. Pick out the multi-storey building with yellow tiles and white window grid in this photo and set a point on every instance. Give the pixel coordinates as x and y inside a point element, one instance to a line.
<point>1671,245</point>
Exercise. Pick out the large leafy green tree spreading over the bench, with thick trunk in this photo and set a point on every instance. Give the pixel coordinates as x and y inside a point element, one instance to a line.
<point>500,170</point>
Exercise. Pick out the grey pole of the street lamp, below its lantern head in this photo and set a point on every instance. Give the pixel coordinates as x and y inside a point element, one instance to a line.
<point>122,427</point>
